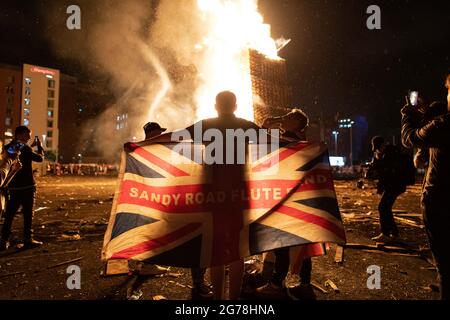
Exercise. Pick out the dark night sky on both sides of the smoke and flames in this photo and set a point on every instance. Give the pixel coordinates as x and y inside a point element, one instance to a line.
<point>335,63</point>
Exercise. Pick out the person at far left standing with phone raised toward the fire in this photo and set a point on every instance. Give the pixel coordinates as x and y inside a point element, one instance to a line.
<point>22,187</point>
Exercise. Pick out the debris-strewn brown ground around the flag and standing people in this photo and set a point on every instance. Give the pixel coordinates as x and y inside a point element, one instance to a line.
<point>71,218</point>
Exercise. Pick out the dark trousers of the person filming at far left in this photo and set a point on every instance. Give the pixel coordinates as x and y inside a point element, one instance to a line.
<point>25,198</point>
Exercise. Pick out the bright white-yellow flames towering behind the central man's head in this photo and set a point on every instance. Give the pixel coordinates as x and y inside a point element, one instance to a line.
<point>232,27</point>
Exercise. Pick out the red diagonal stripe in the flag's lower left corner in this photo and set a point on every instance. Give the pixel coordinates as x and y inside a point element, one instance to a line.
<point>156,243</point>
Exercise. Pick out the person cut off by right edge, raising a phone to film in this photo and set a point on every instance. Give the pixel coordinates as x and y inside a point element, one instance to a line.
<point>433,135</point>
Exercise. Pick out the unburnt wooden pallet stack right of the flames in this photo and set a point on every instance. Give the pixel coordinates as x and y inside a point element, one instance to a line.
<point>271,92</point>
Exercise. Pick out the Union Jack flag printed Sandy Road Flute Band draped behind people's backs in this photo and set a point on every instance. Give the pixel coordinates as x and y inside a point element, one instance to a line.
<point>171,210</point>
